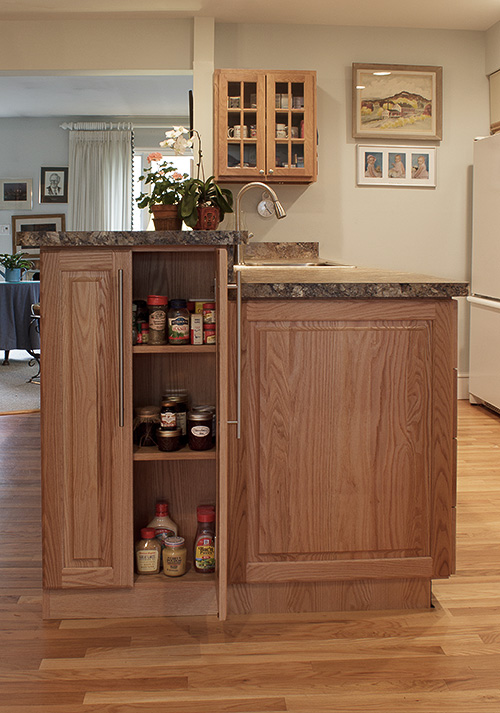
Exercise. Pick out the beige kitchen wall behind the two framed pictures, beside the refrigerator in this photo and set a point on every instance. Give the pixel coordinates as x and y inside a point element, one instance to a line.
<point>411,229</point>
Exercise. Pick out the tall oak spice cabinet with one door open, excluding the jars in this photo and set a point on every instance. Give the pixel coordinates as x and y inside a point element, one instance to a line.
<point>98,489</point>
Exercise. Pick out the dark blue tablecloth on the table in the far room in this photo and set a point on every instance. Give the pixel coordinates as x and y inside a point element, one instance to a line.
<point>16,299</point>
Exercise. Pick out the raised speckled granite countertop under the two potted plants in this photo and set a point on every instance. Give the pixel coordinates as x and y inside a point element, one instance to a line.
<point>112,238</point>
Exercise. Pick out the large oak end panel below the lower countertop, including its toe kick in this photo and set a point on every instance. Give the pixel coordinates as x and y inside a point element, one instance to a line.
<point>343,497</point>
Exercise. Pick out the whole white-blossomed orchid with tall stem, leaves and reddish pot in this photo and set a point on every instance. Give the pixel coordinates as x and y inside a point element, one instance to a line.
<point>203,203</point>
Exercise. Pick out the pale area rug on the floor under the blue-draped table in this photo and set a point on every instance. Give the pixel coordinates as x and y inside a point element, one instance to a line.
<point>17,393</point>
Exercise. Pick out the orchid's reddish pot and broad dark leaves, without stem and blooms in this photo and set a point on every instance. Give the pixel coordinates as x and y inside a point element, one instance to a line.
<point>204,203</point>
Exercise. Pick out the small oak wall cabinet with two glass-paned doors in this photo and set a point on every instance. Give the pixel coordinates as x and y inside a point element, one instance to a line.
<point>265,126</point>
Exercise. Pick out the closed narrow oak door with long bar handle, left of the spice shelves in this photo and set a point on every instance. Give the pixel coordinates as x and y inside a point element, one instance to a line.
<point>86,418</point>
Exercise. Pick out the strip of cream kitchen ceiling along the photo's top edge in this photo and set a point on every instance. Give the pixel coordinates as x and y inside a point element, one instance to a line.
<point>440,14</point>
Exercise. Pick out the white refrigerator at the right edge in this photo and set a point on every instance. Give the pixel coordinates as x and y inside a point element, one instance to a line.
<point>484,371</point>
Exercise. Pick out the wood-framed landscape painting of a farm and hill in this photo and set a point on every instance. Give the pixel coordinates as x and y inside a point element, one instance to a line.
<point>397,101</point>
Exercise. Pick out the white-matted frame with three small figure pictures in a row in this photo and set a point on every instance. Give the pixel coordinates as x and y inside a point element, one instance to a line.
<point>413,166</point>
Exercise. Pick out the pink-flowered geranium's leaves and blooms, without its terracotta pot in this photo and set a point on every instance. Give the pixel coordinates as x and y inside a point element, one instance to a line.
<point>167,184</point>
